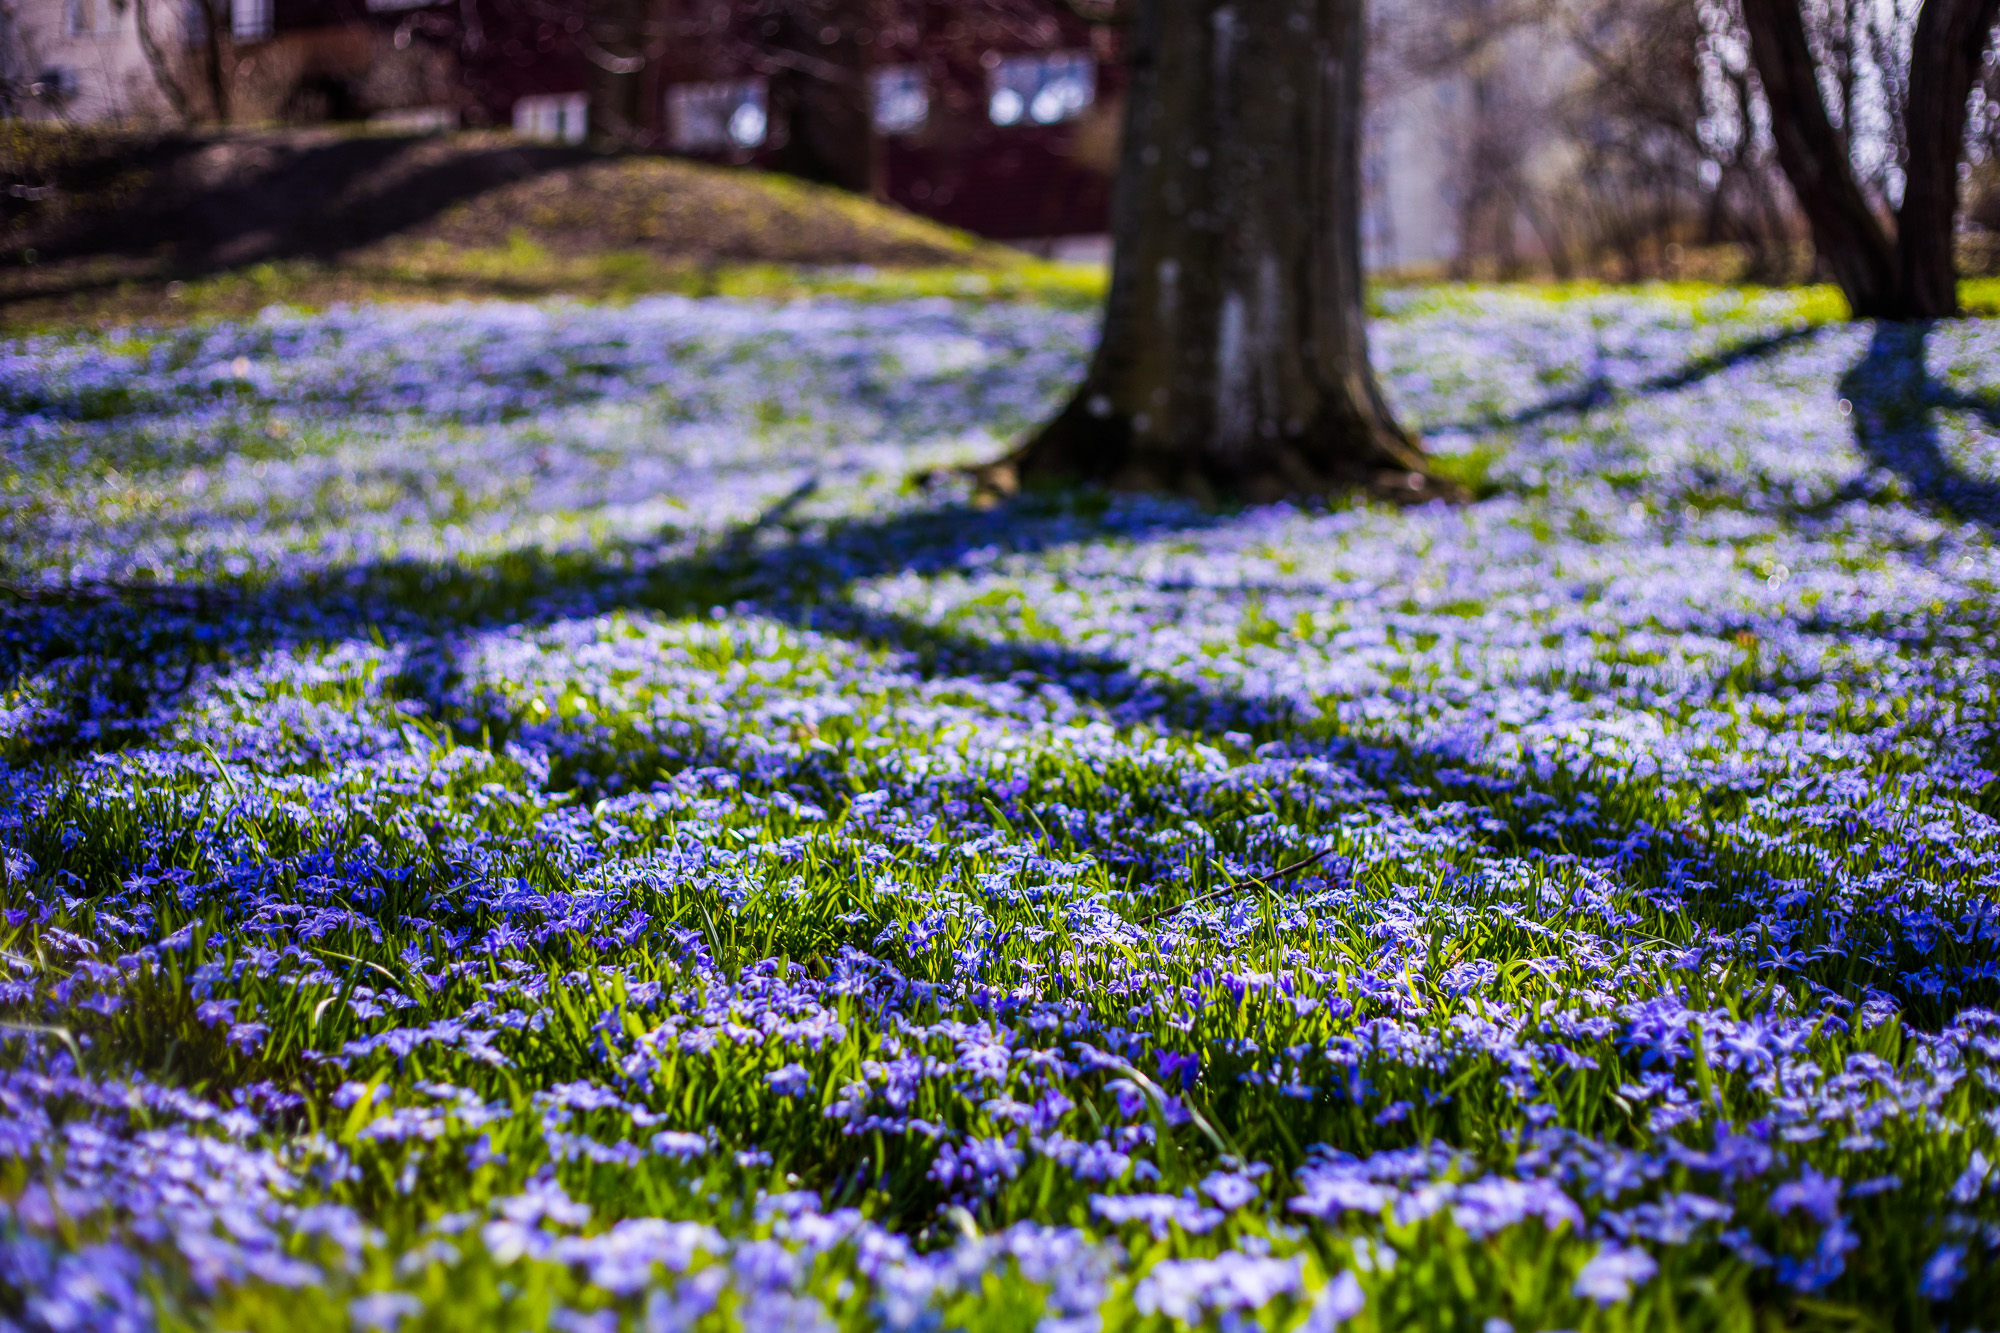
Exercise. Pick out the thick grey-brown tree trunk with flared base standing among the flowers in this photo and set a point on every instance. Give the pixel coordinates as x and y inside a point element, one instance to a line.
<point>1235,359</point>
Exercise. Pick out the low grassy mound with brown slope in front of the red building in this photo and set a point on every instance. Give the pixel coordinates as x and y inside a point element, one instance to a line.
<point>101,225</point>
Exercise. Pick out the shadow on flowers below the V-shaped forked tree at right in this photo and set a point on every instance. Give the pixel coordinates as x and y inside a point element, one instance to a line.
<point>1897,407</point>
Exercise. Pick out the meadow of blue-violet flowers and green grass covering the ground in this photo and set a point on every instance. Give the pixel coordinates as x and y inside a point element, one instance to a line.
<point>525,818</point>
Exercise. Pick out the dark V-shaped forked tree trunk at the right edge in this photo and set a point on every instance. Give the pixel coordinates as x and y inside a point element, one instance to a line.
<point>1909,275</point>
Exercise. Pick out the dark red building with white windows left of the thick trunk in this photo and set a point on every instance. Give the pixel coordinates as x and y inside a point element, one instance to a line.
<point>991,115</point>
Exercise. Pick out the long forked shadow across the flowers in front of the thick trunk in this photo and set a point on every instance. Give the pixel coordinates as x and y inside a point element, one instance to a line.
<point>129,665</point>
